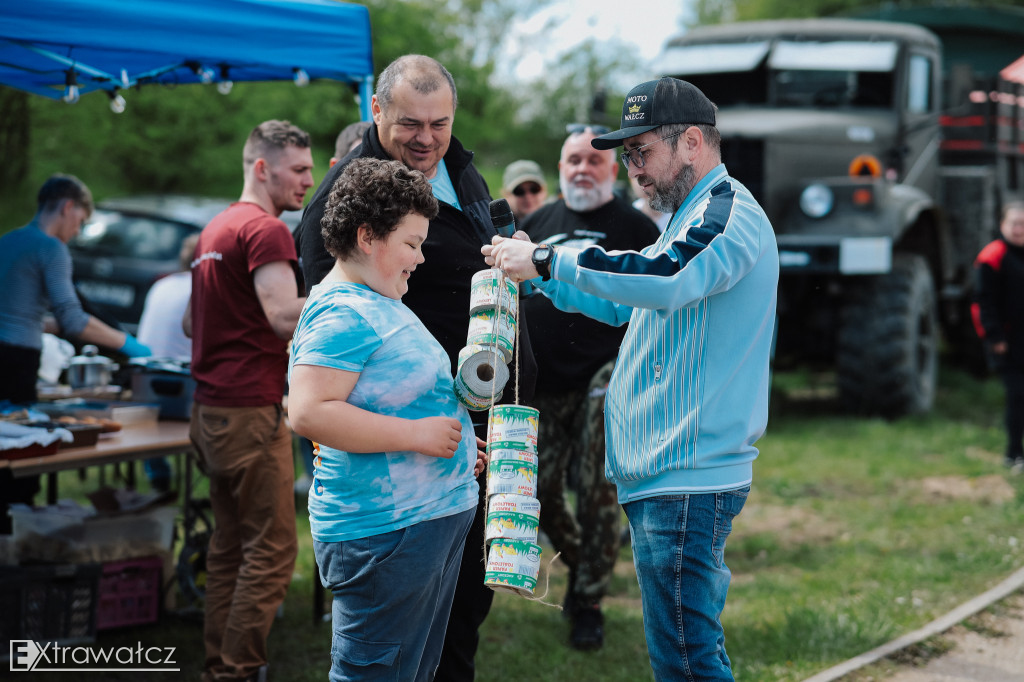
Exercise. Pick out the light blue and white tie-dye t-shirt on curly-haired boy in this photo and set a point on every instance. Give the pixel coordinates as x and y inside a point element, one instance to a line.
<point>404,372</point>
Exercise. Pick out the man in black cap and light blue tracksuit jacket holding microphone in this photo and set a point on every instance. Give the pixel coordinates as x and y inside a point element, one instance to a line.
<point>689,398</point>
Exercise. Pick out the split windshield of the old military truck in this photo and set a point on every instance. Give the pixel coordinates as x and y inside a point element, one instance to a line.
<point>833,74</point>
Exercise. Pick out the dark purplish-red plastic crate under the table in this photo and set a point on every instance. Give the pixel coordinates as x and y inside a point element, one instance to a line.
<point>130,593</point>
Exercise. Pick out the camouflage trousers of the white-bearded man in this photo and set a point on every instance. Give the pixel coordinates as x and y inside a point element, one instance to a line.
<point>572,434</point>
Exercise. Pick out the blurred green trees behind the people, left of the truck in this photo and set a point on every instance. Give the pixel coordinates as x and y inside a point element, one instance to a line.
<point>189,140</point>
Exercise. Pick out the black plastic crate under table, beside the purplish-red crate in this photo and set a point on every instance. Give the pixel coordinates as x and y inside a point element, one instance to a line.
<point>50,604</point>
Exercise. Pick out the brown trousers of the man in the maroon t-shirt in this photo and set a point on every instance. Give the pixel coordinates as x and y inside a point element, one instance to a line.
<point>247,454</point>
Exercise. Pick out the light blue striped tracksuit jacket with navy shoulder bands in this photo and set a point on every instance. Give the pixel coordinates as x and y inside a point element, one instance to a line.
<point>690,395</point>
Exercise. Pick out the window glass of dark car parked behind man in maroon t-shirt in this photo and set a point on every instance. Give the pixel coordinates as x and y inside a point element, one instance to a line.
<point>112,234</point>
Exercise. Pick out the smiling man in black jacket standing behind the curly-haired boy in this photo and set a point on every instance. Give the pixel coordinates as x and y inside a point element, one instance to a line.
<point>414,111</point>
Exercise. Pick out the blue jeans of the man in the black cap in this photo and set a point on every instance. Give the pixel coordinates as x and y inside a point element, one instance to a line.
<point>679,555</point>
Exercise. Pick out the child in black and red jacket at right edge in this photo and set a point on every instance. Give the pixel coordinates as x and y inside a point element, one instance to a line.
<point>999,318</point>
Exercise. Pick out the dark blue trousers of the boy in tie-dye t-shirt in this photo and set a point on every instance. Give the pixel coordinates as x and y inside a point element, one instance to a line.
<point>393,595</point>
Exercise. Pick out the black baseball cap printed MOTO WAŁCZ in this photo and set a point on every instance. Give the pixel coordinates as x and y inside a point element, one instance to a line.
<point>656,104</point>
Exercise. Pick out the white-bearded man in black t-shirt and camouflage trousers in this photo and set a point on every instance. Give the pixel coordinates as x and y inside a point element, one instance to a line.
<point>575,357</point>
